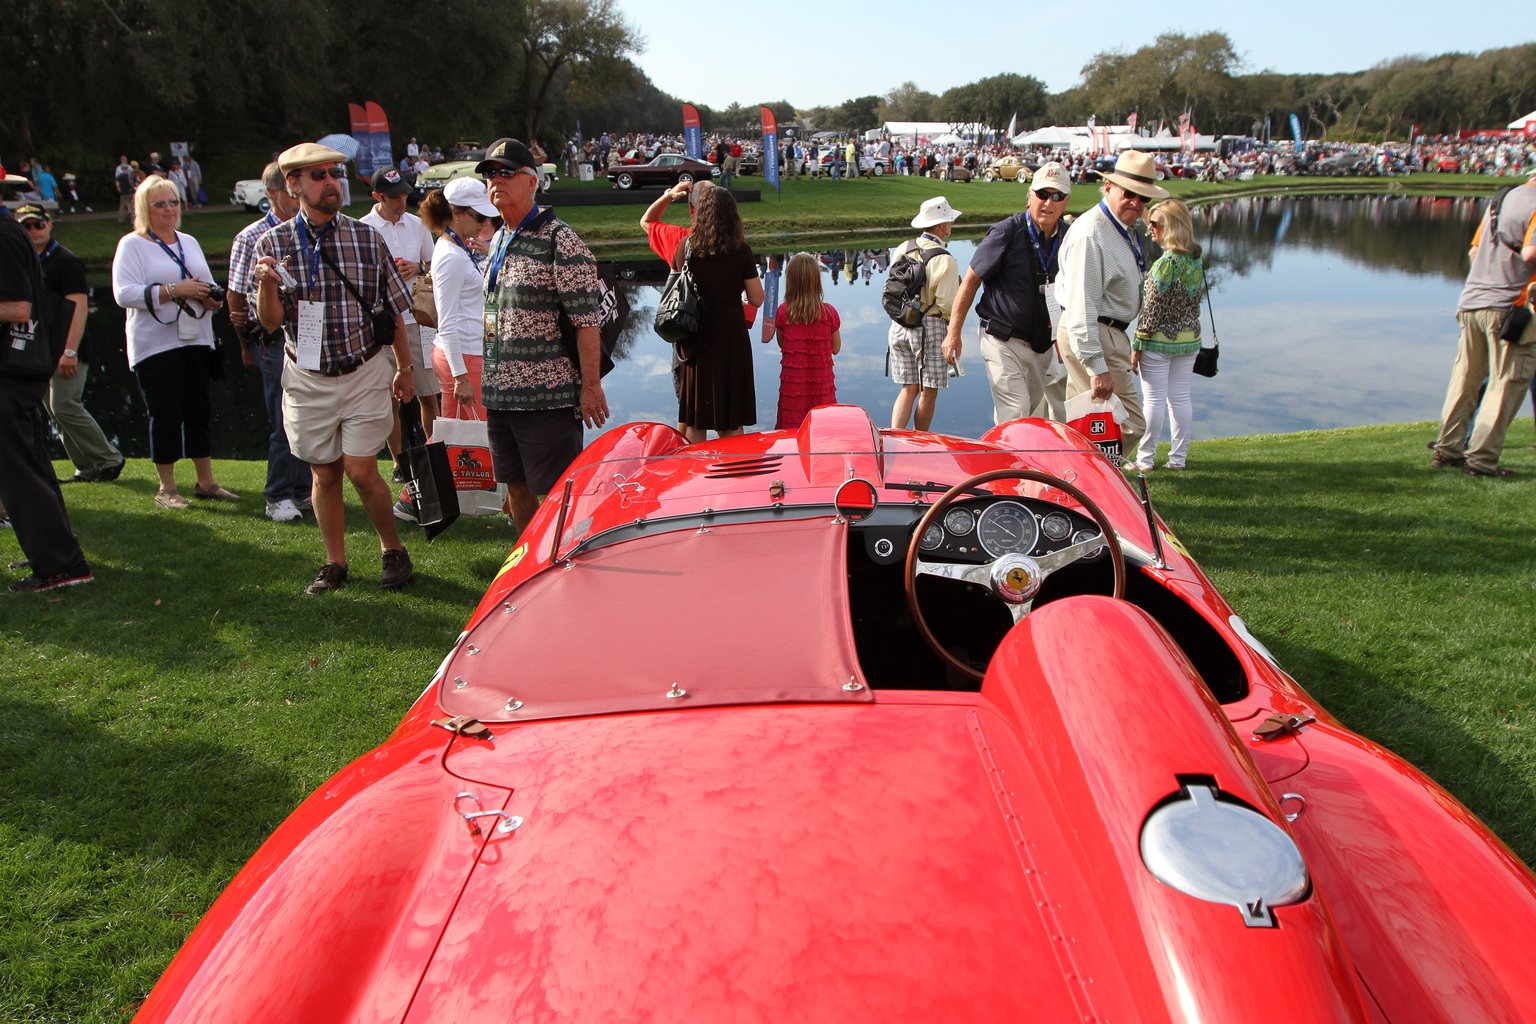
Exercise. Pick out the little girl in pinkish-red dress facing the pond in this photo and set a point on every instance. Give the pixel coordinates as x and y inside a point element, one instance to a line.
<point>809,335</point>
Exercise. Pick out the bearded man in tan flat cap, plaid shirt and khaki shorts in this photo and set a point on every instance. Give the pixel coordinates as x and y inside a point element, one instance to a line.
<point>336,383</point>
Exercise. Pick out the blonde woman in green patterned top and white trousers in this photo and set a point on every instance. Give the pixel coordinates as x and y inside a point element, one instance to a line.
<point>1168,334</point>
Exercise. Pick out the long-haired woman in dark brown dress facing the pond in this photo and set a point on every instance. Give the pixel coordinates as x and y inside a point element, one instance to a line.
<point>718,391</point>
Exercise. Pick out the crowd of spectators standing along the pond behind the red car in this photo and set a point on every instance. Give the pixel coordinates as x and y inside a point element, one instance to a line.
<point>360,325</point>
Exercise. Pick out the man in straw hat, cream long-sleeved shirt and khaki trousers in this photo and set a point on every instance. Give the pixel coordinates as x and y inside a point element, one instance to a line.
<point>1104,260</point>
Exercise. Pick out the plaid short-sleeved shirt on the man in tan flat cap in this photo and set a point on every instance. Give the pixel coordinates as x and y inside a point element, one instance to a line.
<point>359,253</point>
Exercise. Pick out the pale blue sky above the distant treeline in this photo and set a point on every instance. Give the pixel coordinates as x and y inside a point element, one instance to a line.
<point>819,55</point>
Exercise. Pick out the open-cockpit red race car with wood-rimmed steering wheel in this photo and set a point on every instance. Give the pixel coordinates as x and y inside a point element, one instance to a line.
<point>864,725</point>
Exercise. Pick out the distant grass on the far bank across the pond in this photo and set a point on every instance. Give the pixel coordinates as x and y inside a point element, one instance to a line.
<point>812,208</point>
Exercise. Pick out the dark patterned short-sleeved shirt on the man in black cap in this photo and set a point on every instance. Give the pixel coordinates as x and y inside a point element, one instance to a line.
<point>548,271</point>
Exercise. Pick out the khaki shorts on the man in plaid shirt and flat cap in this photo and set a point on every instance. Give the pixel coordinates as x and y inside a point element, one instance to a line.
<point>329,417</point>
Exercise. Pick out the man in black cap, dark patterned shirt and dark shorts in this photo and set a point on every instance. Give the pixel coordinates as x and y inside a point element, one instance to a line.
<point>537,398</point>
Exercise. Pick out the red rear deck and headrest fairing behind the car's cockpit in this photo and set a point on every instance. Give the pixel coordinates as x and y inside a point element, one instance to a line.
<point>922,859</point>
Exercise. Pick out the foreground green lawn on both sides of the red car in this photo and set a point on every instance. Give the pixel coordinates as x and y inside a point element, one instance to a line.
<point>161,722</point>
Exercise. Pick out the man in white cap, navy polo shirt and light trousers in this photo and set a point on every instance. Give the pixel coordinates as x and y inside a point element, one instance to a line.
<point>1015,268</point>
